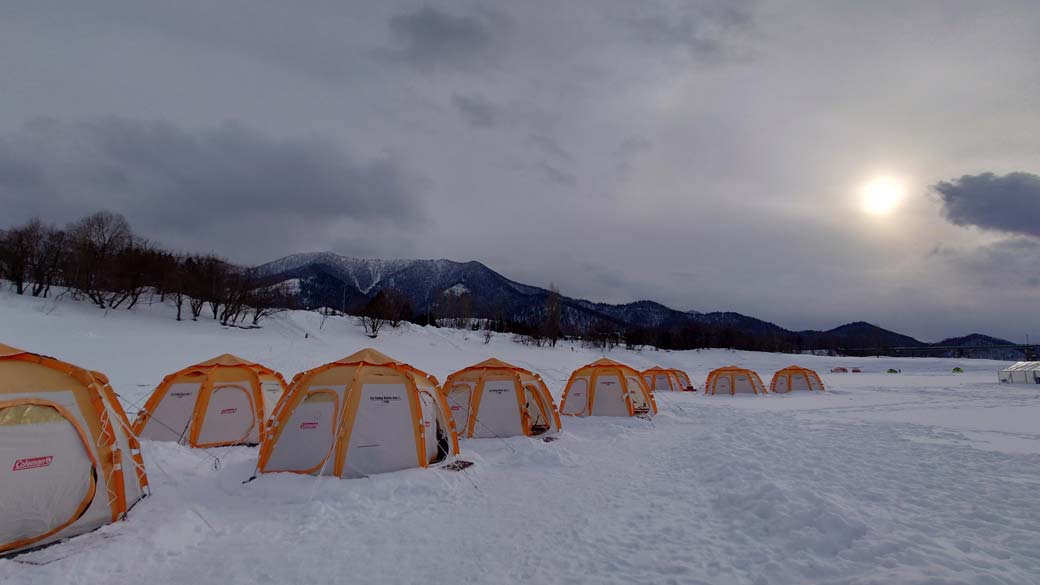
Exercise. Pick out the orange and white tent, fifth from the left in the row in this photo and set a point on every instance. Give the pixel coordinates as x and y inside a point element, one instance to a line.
<point>608,389</point>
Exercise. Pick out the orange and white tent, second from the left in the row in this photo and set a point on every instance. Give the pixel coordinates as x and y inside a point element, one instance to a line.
<point>220,402</point>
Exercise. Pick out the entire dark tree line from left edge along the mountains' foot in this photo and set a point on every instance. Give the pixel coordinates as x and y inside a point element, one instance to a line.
<point>100,259</point>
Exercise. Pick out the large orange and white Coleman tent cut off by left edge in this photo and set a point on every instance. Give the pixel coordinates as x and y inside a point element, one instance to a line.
<point>69,463</point>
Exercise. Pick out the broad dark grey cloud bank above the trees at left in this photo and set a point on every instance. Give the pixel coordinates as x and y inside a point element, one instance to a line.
<point>214,185</point>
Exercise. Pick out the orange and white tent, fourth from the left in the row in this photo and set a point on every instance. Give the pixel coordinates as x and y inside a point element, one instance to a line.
<point>495,399</point>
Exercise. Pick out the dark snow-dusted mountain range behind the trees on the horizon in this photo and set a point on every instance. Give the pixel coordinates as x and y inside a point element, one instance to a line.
<point>349,284</point>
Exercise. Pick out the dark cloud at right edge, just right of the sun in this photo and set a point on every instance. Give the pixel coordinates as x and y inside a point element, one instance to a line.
<point>1009,204</point>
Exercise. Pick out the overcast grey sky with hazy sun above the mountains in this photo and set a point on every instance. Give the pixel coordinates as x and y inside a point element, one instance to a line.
<point>810,164</point>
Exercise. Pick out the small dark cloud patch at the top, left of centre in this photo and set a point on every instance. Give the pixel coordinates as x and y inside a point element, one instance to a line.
<point>432,39</point>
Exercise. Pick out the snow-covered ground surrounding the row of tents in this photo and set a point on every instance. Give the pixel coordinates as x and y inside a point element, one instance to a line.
<point>923,477</point>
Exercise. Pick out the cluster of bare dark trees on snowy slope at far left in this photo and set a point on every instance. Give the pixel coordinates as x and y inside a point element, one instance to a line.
<point>100,259</point>
